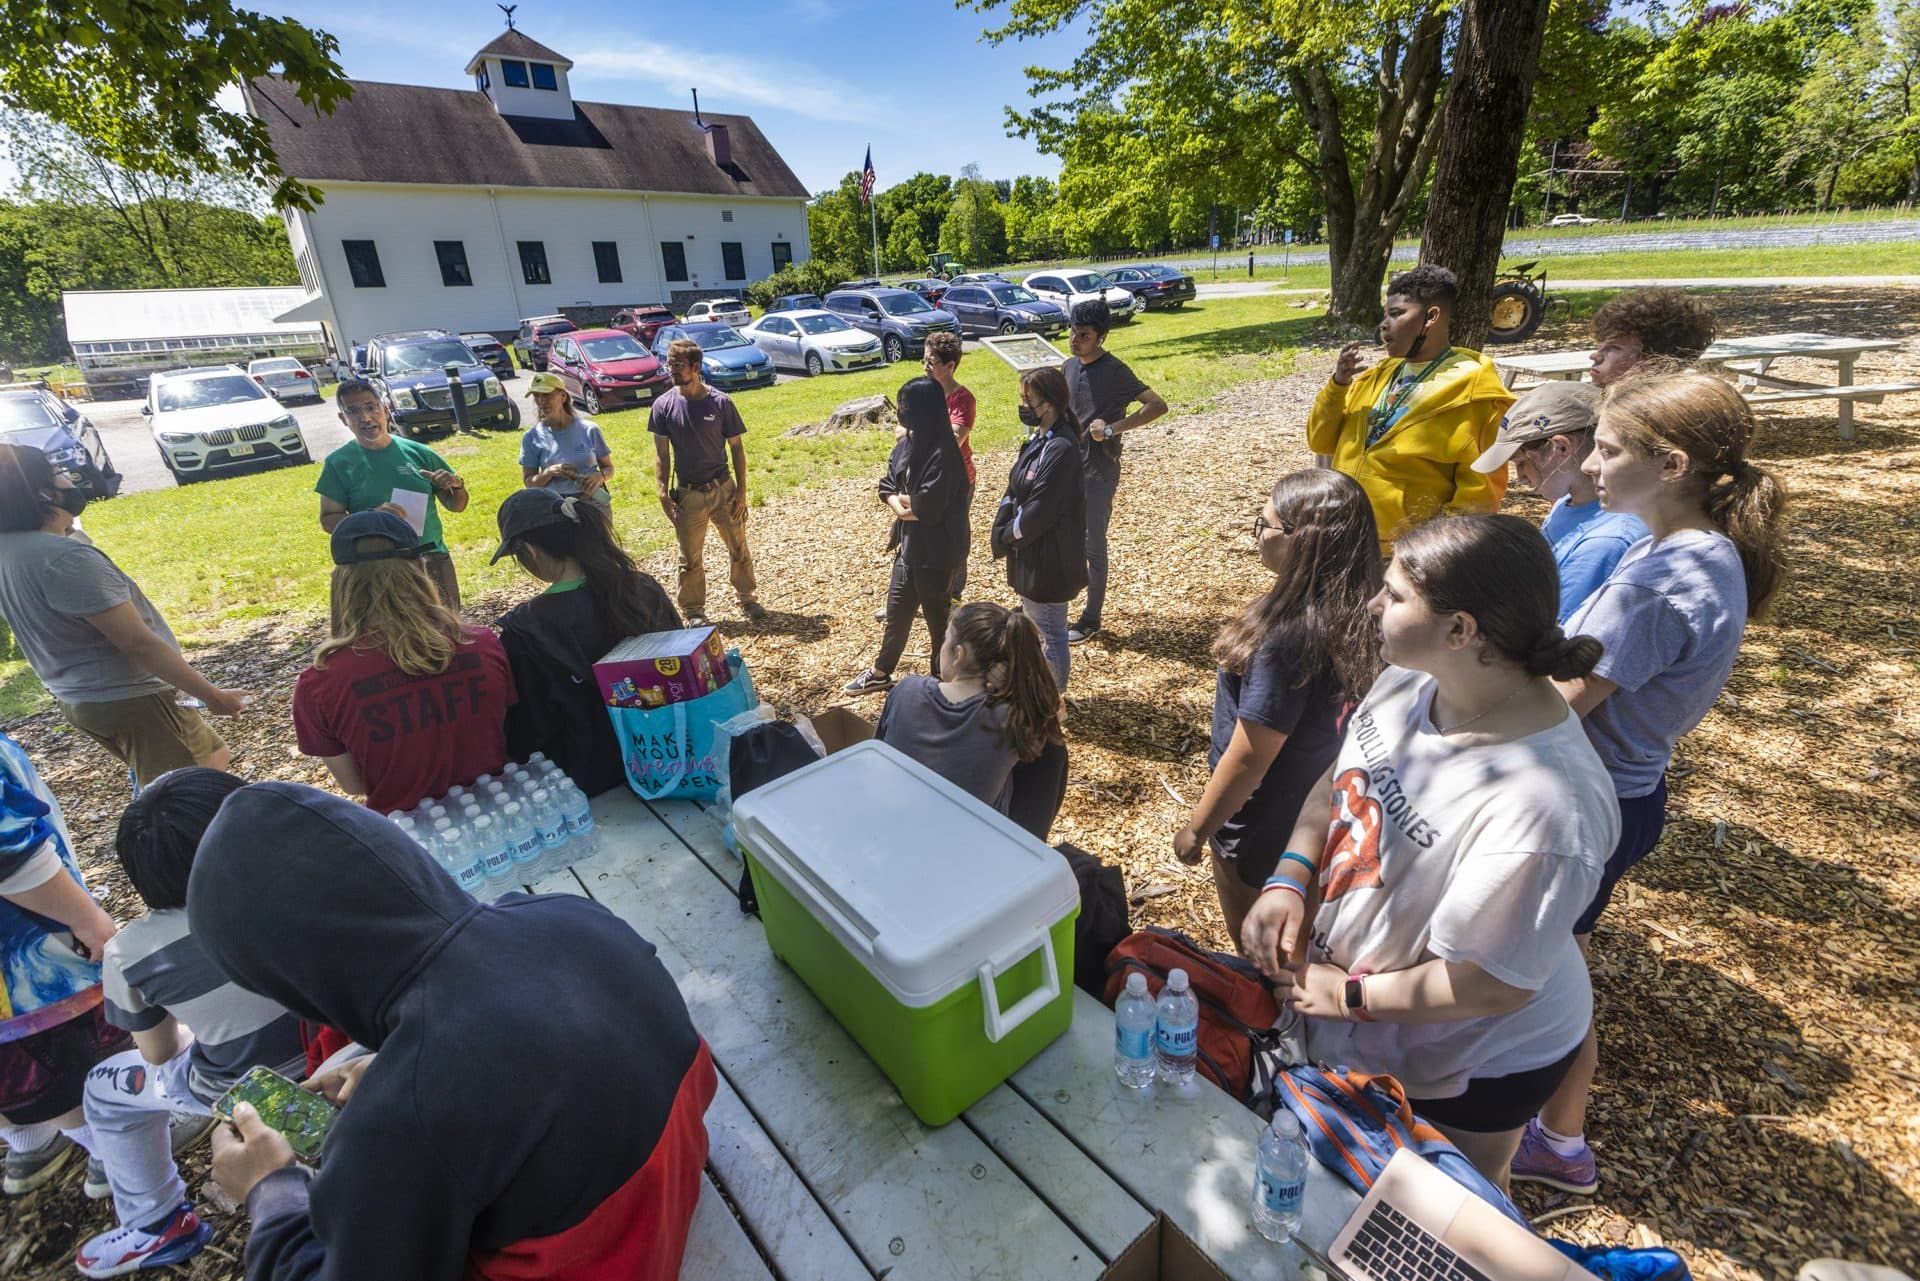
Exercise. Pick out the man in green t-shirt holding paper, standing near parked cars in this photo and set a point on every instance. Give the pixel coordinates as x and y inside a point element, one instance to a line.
<point>379,471</point>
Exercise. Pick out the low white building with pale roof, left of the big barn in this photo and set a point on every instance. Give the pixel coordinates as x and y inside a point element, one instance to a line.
<point>120,337</point>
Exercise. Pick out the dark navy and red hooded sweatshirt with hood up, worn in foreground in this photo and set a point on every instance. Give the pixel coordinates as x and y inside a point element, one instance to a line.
<point>537,1103</point>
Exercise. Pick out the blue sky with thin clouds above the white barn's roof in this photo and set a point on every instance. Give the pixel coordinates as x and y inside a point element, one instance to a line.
<point>821,78</point>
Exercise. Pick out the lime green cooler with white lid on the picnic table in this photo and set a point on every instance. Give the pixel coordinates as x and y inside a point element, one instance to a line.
<point>936,931</point>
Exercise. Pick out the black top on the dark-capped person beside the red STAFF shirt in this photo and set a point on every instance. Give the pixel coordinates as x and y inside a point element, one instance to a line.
<point>552,644</point>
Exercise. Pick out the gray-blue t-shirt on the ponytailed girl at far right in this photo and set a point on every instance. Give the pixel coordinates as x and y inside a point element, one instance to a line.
<point>1671,617</point>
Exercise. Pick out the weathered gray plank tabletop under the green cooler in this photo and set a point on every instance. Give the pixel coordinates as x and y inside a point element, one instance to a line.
<point>819,1171</point>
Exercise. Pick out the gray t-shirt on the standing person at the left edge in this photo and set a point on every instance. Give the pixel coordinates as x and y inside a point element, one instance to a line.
<point>49,589</point>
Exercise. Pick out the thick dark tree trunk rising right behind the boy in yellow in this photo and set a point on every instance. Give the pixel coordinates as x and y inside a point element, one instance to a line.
<point>1481,137</point>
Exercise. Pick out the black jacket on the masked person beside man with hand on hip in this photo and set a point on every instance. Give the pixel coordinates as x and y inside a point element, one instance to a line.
<point>1045,493</point>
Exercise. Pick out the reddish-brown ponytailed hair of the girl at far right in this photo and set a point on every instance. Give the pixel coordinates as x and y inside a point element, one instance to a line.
<point>1712,423</point>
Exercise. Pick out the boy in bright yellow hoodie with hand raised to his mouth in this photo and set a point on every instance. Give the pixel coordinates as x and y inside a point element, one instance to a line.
<point>1410,427</point>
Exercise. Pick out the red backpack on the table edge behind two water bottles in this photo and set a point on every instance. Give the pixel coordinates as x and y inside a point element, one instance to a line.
<point>1237,1009</point>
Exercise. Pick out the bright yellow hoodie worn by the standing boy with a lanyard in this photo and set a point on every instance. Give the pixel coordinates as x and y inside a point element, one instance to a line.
<point>1422,468</point>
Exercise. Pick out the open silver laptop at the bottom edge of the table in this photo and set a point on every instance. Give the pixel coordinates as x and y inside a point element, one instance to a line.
<point>1418,1224</point>
